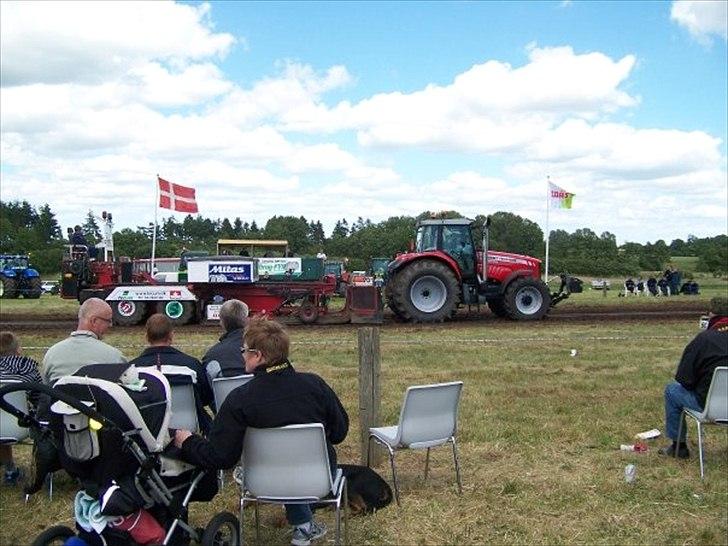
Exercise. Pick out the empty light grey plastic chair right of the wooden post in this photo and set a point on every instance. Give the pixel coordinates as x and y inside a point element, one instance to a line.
<point>428,419</point>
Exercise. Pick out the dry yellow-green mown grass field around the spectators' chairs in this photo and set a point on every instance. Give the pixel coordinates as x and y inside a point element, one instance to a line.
<point>539,435</point>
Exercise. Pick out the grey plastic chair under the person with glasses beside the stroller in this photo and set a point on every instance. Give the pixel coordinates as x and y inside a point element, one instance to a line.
<point>290,465</point>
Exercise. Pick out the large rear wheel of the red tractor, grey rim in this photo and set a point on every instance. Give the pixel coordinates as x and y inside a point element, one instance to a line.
<point>424,291</point>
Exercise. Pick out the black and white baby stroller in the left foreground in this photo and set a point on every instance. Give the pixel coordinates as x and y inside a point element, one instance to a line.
<point>109,422</point>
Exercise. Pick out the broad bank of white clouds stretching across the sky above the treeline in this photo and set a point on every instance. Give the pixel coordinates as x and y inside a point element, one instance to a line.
<point>100,107</point>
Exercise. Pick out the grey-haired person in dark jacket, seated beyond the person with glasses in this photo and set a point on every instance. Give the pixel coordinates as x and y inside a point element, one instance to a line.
<point>224,358</point>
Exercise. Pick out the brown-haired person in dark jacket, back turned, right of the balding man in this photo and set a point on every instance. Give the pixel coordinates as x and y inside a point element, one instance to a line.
<point>160,352</point>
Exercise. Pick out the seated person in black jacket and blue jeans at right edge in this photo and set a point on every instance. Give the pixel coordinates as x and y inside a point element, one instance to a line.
<point>707,351</point>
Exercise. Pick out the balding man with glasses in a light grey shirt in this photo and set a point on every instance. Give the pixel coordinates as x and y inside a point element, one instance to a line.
<point>84,346</point>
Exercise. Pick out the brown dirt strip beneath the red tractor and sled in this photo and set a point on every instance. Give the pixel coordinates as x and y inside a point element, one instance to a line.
<point>670,309</point>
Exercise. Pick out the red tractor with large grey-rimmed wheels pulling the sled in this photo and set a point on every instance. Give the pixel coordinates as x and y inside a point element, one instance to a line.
<point>444,271</point>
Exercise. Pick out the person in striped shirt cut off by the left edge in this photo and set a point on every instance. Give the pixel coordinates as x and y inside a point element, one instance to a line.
<point>14,367</point>
